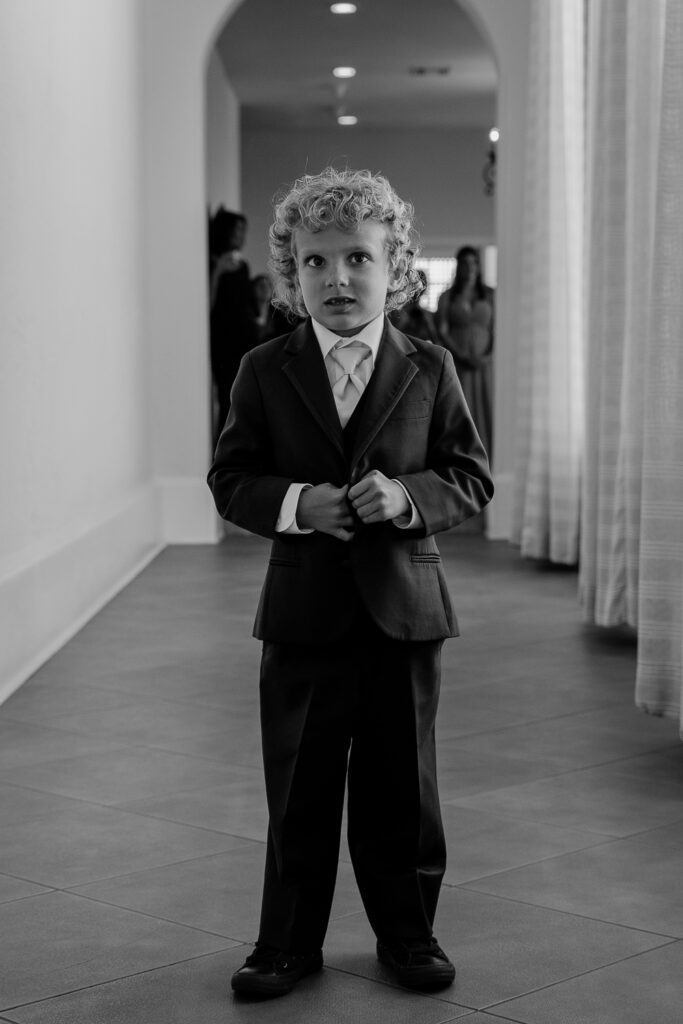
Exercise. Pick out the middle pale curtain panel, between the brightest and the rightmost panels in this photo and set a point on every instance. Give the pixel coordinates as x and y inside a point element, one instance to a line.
<point>624,78</point>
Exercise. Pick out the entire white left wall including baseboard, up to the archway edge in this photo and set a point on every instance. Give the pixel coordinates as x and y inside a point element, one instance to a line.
<point>104,385</point>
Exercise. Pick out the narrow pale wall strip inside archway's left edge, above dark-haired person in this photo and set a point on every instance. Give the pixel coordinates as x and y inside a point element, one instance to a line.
<point>223,139</point>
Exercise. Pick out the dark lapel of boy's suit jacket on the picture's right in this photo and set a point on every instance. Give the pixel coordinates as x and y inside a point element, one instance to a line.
<point>394,372</point>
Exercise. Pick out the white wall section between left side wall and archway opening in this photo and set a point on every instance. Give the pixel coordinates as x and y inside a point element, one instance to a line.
<point>177,41</point>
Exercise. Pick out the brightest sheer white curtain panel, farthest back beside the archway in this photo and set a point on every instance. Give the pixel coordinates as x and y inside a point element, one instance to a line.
<point>550,399</point>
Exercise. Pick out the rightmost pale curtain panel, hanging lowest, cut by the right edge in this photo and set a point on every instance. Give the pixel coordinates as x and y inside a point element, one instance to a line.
<point>660,675</point>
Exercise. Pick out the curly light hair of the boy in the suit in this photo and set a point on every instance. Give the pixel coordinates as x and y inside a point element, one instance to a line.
<point>345,199</point>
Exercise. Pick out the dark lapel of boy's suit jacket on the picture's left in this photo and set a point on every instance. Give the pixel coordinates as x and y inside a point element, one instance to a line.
<point>306,369</point>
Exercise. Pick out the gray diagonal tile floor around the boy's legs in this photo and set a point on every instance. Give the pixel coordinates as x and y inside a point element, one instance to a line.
<point>134,816</point>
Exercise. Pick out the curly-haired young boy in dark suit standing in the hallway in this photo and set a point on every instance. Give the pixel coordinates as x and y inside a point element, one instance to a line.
<point>350,445</point>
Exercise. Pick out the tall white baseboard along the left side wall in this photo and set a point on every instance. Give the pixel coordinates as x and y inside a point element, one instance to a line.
<point>50,591</point>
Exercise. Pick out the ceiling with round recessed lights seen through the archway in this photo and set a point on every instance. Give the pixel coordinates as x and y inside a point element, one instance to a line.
<point>279,56</point>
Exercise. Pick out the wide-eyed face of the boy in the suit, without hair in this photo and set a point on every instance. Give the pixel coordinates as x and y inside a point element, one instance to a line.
<point>345,276</point>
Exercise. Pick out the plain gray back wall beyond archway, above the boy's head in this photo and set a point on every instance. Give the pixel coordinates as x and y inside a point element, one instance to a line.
<point>439,172</point>
